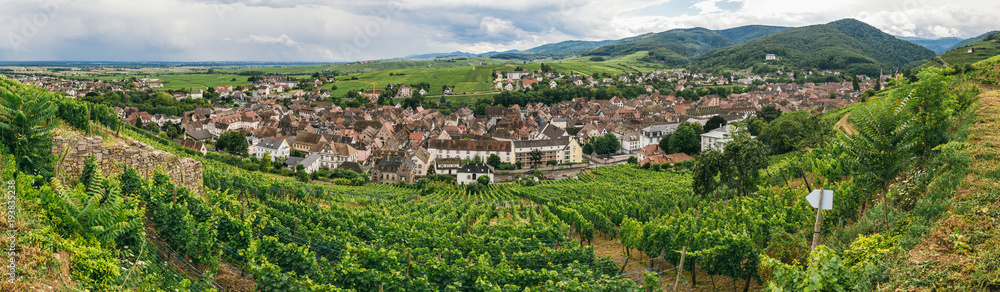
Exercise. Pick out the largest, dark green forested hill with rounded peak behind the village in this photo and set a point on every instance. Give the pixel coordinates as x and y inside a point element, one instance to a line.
<point>844,44</point>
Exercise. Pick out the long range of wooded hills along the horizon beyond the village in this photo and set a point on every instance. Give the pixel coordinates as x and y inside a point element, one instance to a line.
<point>844,44</point>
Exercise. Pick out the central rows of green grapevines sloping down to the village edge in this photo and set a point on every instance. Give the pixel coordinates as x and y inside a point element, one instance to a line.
<point>290,235</point>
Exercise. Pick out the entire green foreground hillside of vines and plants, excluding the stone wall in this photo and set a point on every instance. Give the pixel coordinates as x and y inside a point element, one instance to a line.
<point>902,211</point>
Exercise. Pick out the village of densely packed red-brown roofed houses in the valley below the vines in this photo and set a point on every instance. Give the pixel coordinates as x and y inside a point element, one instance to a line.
<point>393,144</point>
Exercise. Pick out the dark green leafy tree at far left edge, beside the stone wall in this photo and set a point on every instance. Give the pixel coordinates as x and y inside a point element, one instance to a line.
<point>26,123</point>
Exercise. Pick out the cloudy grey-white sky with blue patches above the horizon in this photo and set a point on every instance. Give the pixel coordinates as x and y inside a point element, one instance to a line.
<point>342,30</point>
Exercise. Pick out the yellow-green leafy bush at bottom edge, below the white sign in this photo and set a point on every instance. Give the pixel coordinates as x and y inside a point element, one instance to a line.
<point>824,272</point>
